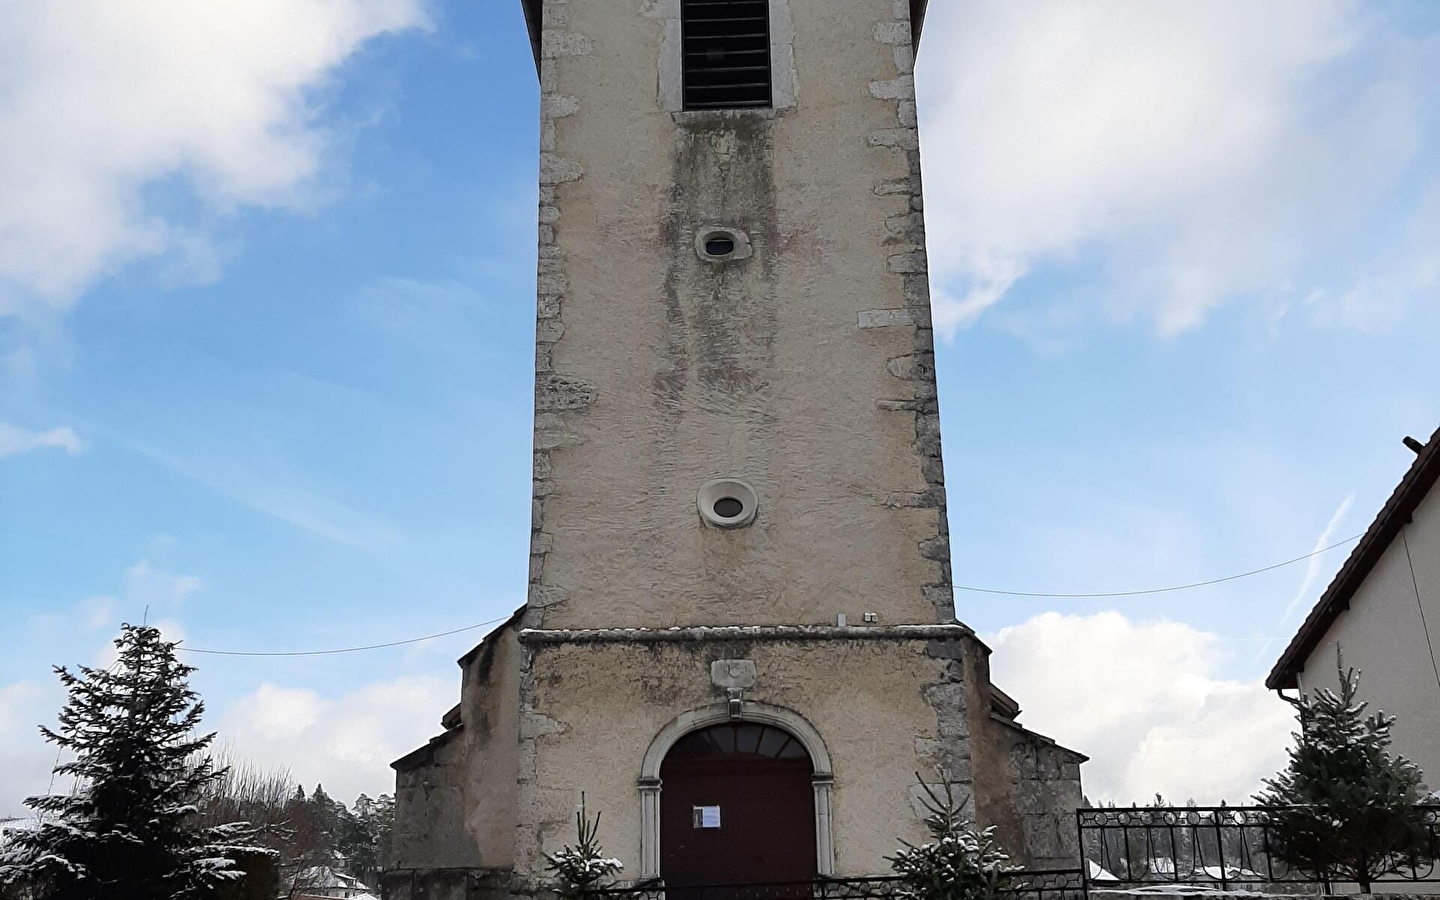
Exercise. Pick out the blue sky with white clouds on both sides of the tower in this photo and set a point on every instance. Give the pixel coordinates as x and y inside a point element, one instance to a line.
<point>267,284</point>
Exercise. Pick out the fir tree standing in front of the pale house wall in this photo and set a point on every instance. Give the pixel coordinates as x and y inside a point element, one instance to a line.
<point>1344,809</point>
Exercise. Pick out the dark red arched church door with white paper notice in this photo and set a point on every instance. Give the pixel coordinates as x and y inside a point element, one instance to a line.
<point>737,807</point>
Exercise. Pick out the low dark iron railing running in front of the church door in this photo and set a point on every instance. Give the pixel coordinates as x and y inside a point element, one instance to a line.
<point>1042,885</point>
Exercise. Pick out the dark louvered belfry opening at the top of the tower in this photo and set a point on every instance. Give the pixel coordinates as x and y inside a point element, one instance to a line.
<point>728,54</point>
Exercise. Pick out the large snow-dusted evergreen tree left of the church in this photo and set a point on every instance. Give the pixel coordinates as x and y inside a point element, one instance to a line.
<point>126,832</point>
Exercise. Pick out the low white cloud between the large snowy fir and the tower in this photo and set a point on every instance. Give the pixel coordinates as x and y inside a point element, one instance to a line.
<point>346,744</point>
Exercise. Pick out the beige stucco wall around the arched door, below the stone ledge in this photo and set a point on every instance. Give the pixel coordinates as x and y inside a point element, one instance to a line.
<point>868,699</point>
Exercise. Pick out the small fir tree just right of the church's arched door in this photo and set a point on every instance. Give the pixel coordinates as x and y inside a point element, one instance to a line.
<point>958,863</point>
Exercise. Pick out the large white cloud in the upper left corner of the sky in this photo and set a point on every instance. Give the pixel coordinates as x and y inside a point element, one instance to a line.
<point>103,104</point>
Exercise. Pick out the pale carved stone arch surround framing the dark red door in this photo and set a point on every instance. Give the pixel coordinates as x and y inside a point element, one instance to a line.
<point>719,714</point>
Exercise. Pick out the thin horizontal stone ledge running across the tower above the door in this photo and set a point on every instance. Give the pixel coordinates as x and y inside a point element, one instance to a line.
<point>745,633</point>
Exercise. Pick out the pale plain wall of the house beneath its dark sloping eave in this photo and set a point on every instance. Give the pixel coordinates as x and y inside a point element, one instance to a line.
<point>1383,636</point>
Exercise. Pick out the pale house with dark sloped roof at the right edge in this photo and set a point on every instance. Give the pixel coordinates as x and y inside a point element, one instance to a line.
<point>1382,616</point>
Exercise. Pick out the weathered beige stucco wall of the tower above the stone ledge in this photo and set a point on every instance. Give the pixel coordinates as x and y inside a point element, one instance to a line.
<point>806,369</point>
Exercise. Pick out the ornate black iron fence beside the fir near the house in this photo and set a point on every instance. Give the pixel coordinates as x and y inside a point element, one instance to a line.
<point>1228,847</point>
